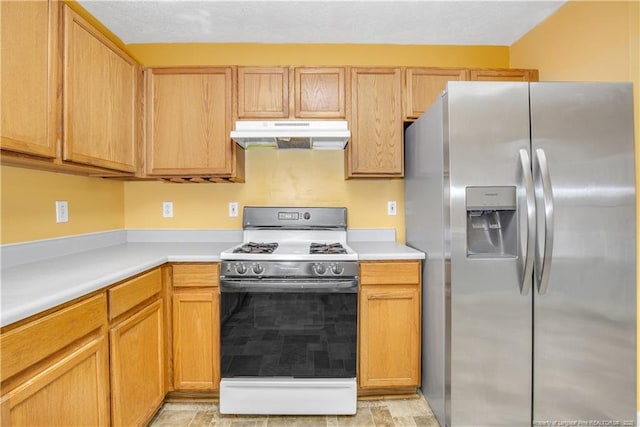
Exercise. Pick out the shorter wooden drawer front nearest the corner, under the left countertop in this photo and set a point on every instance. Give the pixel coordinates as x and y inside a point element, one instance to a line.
<point>132,292</point>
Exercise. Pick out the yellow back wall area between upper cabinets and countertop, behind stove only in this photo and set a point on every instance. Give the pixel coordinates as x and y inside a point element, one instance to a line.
<point>274,177</point>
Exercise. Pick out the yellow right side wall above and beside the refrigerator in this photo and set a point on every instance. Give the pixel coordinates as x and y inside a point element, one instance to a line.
<point>589,41</point>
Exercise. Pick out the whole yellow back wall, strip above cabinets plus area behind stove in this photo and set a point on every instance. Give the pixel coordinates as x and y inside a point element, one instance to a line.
<point>287,177</point>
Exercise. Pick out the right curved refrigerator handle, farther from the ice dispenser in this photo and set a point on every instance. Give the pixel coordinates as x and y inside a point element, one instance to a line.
<point>544,265</point>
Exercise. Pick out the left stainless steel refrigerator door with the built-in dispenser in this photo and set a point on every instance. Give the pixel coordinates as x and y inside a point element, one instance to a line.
<point>488,309</point>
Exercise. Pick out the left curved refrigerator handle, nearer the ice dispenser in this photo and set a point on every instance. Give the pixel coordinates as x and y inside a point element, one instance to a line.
<point>526,258</point>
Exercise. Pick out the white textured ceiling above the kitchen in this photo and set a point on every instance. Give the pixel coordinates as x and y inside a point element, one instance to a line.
<point>450,22</point>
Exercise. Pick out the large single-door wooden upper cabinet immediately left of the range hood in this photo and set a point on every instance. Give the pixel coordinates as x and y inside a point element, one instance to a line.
<point>189,115</point>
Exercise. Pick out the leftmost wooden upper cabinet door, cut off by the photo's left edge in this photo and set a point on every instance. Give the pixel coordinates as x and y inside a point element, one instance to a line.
<point>29,76</point>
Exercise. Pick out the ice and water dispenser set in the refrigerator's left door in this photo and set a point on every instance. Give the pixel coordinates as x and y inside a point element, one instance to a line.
<point>491,222</point>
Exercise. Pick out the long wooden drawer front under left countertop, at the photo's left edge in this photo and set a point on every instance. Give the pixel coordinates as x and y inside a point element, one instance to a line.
<point>32,342</point>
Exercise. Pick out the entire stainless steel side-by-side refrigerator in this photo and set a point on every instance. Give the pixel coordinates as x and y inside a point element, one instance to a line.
<point>522,195</point>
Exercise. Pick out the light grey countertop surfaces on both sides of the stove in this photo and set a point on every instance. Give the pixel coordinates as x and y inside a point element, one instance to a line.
<point>30,288</point>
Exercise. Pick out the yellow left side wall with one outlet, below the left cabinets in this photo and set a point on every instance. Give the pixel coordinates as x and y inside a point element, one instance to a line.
<point>28,204</point>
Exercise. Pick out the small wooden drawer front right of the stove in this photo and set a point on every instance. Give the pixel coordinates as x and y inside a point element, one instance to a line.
<point>384,273</point>
